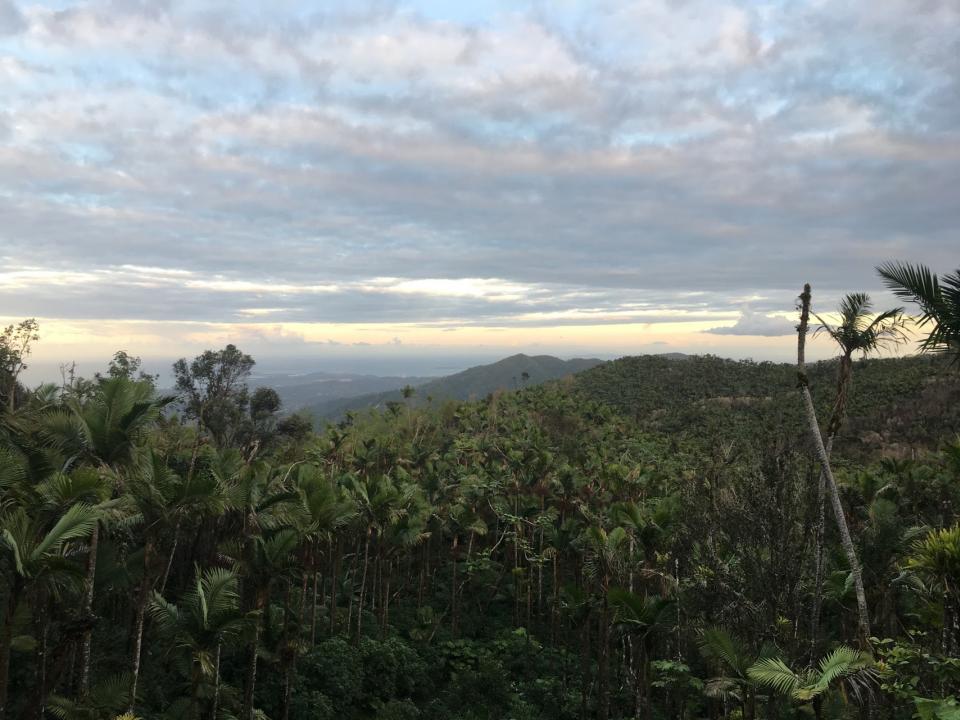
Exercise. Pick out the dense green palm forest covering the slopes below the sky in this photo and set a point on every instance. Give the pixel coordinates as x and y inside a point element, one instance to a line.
<point>643,540</point>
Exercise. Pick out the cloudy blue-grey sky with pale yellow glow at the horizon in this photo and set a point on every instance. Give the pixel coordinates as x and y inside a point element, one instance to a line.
<point>365,180</point>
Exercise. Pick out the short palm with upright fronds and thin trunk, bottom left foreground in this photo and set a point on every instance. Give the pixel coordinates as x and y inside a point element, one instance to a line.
<point>207,617</point>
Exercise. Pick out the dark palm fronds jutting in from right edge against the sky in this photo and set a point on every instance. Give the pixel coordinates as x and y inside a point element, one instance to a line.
<point>939,301</point>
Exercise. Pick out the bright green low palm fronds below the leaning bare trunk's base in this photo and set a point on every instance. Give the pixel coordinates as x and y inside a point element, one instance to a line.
<point>844,667</point>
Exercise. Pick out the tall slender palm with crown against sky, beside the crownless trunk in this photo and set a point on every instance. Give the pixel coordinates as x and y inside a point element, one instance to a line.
<point>858,331</point>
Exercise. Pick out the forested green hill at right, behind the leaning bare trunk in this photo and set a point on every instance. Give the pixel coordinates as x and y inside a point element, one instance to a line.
<point>897,405</point>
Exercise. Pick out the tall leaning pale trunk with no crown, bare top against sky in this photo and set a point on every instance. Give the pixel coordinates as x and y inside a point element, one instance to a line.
<point>863,624</point>
